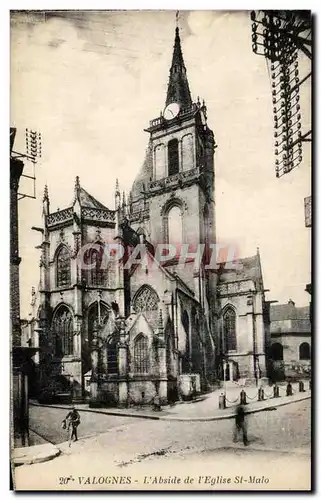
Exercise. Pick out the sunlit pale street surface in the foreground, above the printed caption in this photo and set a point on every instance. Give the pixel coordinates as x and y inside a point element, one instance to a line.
<point>276,438</point>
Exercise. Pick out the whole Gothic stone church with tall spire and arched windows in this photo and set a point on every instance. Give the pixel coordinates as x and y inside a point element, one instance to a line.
<point>119,334</point>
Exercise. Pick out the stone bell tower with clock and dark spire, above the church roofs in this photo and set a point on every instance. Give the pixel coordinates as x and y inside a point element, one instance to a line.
<point>181,171</point>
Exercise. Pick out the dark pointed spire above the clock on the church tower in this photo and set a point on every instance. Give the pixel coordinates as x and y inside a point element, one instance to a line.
<point>178,88</point>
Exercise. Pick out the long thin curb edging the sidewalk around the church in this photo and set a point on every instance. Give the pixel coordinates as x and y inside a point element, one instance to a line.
<point>273,404</point>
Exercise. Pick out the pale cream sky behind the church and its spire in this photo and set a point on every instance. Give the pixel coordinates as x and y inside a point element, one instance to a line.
<point>90,82</point>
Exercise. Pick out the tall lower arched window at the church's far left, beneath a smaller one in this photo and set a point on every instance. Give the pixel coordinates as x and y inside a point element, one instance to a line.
<point>62,331</point>
